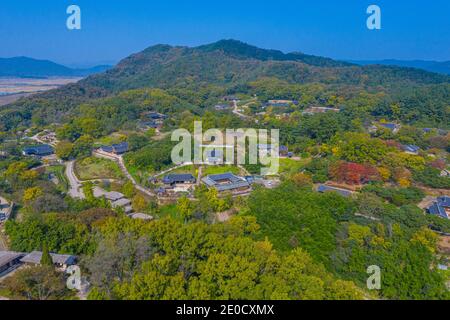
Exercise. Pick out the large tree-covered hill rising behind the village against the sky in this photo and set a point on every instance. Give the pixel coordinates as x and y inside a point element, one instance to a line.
<point>228,64</point>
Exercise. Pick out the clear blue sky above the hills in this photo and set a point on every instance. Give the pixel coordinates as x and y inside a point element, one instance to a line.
<point>113,29</point>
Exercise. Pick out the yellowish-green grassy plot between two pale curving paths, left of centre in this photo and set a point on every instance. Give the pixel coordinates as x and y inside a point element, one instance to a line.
<point>95,168</point>
